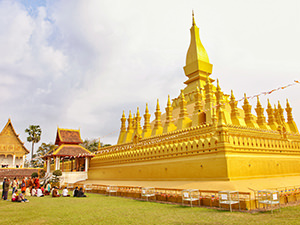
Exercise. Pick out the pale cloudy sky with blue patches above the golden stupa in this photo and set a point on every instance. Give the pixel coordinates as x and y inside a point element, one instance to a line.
<point>80,63</point>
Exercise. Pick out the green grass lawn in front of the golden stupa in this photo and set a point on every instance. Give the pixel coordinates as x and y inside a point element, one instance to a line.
<point>100,209</point>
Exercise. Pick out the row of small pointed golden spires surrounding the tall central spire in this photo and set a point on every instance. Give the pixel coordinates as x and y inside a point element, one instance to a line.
<point>206,113</point>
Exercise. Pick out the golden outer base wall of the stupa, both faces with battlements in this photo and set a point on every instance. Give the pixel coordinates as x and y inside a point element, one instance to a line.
<point>199,154</point>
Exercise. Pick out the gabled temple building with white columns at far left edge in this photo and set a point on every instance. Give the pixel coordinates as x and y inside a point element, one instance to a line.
<point>12,149</point>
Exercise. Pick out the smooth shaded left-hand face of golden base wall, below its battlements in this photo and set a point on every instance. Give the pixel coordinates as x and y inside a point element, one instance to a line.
<point>210,166</point>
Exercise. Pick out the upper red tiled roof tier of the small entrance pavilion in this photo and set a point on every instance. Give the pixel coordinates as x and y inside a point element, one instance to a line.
<point>68,136</point>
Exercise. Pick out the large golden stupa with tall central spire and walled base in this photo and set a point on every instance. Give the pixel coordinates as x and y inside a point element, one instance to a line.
<point>202,135</point>
